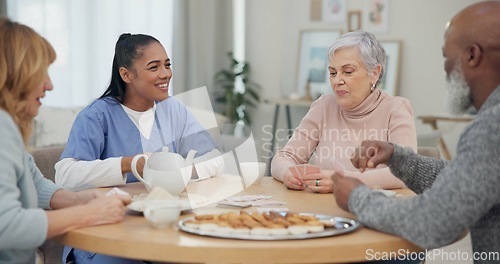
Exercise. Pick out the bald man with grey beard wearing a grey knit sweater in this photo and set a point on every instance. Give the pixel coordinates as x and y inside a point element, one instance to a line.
<point>455,196</point>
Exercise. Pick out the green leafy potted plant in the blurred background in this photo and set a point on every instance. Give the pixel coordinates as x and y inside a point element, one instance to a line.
<point>236,100</point>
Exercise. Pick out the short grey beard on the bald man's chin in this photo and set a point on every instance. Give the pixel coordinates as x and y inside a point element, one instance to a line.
<point>458,99</point>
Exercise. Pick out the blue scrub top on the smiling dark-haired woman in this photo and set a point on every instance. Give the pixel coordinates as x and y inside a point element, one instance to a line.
<point>103,130</point>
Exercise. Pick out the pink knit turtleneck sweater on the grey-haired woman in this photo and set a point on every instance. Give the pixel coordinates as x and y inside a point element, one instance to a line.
<point>328,132</point>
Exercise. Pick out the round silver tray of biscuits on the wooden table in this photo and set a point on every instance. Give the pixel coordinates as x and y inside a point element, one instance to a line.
<point>267,226</point>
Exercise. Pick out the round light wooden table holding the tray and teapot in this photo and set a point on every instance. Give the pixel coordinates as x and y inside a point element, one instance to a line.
<point>134,238</point>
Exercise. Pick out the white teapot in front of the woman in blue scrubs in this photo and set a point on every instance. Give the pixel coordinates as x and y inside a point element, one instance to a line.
<point>165,169</point>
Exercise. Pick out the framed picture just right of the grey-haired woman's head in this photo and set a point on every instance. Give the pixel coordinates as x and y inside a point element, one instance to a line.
<point>389,83</point>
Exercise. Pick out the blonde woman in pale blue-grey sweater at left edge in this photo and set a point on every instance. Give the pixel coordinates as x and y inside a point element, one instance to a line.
<point>24,60</point>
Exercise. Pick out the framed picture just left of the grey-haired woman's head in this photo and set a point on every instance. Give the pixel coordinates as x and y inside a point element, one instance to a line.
<point>312,67</point>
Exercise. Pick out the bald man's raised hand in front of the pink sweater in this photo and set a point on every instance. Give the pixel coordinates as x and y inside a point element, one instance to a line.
<point>372,153</point>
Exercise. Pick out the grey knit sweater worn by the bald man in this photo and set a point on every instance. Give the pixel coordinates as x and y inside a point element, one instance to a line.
<point>452,196</point>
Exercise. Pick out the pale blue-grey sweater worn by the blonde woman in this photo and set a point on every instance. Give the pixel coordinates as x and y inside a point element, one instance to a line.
<point>23,192</point>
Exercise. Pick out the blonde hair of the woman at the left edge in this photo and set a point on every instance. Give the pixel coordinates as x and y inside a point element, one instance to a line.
<point>25,57</point>
